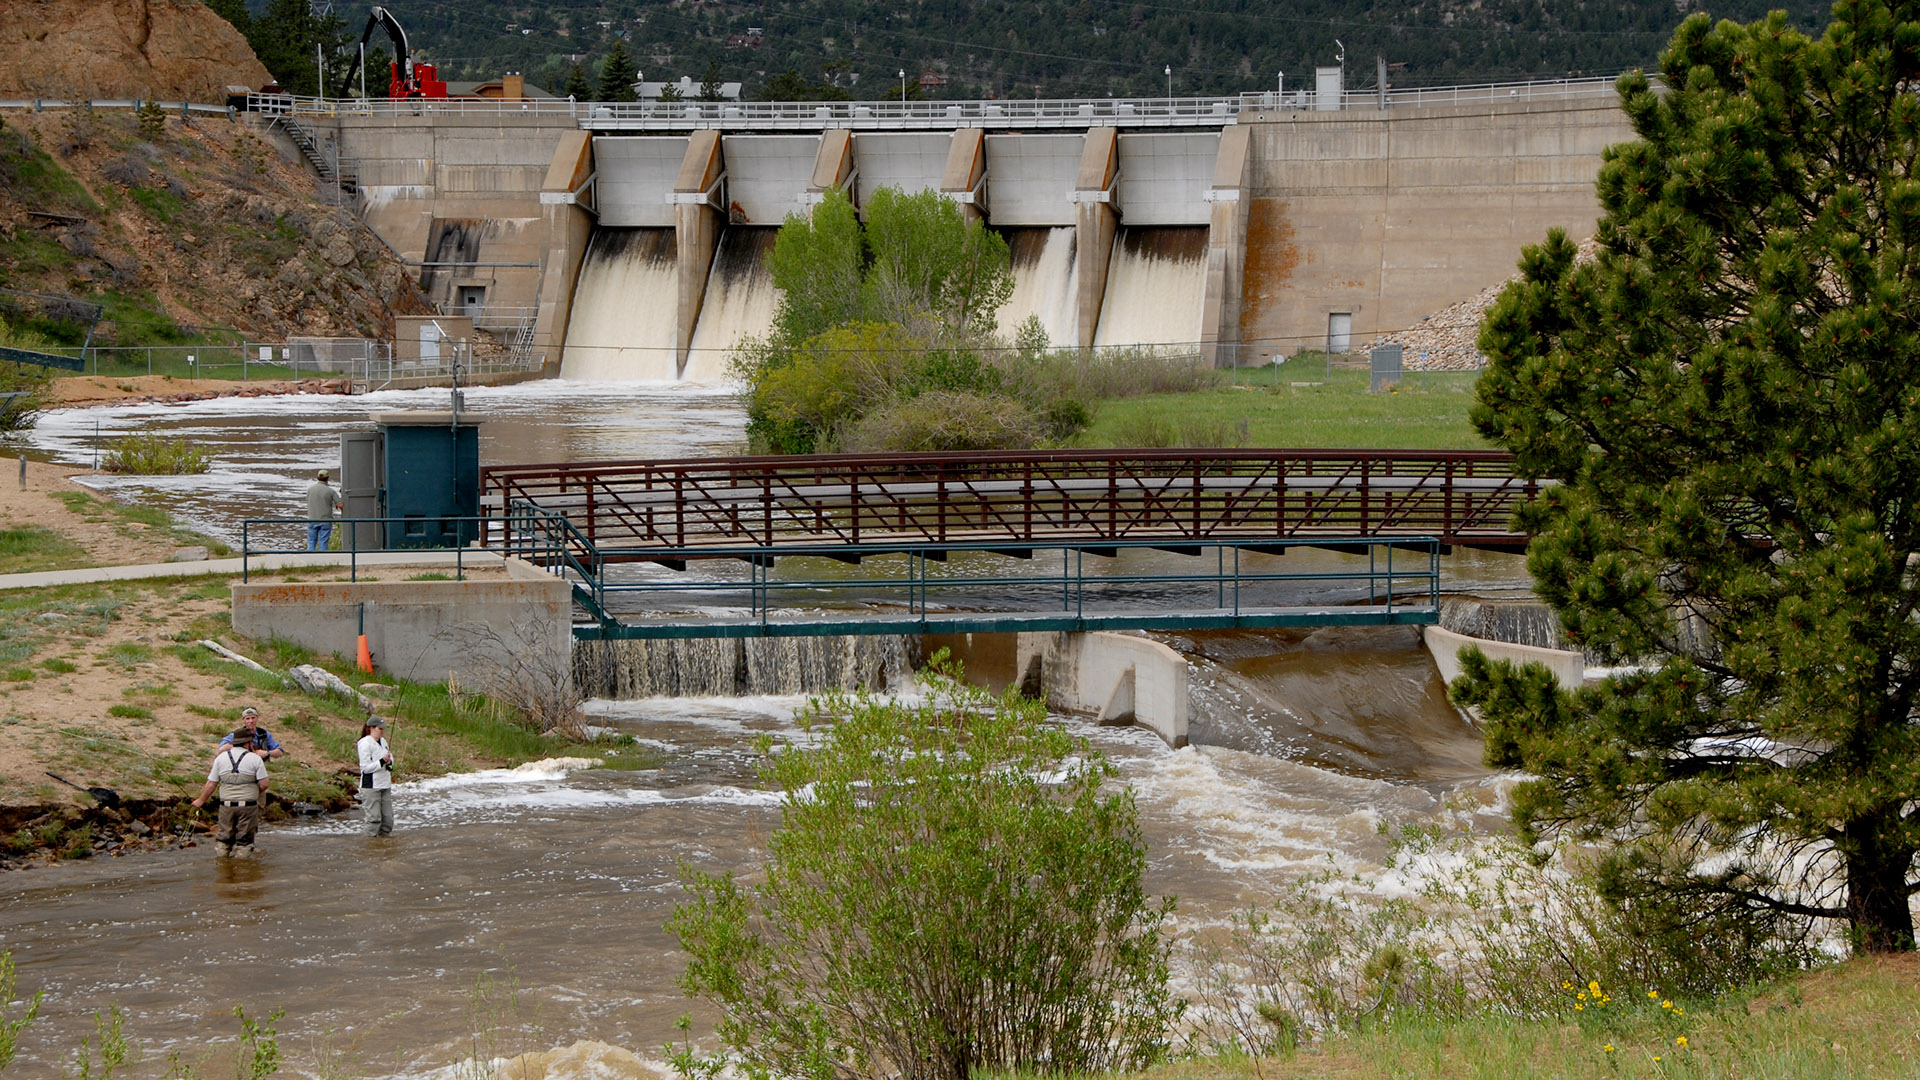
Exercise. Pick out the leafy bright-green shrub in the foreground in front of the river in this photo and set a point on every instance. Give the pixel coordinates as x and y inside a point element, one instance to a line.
<point>953,889</point>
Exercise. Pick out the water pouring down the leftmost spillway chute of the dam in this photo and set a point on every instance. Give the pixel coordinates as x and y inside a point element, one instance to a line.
<point>625,308</point>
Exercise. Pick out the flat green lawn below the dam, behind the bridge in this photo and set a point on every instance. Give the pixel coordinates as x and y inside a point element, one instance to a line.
<point>1312,406</point>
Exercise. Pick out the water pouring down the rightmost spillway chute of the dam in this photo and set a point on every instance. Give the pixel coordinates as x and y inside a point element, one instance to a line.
<point>1155,289</point>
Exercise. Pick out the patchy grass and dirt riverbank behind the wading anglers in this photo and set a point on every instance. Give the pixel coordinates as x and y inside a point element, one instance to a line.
<point>107,685</point>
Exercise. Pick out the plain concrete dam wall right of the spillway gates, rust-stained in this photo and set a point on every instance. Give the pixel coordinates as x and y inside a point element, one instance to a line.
<point>1393,216</point>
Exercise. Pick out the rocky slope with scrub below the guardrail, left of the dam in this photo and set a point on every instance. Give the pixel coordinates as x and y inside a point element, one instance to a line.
<point>178,228</point>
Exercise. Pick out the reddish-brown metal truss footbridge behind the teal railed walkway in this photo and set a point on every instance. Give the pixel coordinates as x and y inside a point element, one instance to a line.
<point>671,512</point>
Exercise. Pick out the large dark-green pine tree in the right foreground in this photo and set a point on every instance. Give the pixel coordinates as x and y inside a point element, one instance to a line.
<point>1729,399</point>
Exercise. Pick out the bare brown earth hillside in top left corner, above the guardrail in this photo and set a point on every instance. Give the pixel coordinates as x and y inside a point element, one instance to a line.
<point>122,49</point>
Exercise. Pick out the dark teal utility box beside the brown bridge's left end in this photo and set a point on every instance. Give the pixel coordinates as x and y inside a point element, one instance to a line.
<point>431,479</point>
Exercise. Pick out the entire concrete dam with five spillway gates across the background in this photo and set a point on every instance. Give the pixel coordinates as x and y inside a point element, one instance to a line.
<point>633,241</point>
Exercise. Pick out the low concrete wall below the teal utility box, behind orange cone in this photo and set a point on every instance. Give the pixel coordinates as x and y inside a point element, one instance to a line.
<point>421,629</point>
